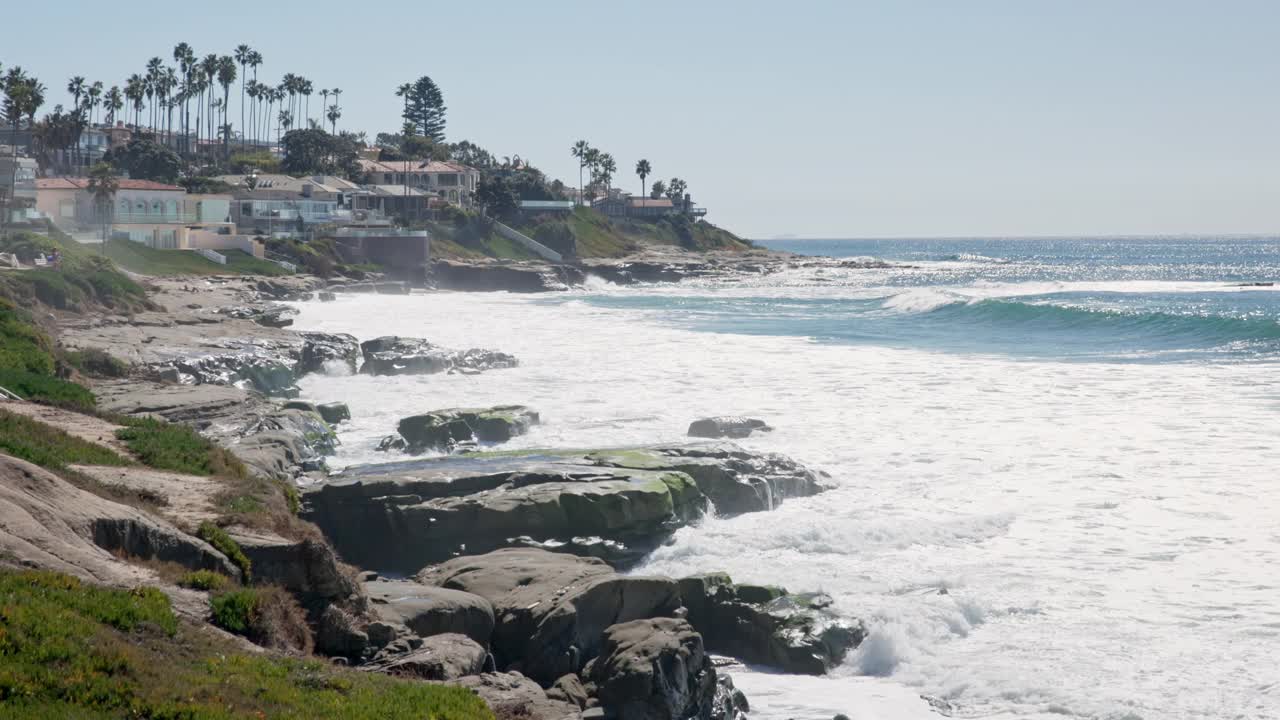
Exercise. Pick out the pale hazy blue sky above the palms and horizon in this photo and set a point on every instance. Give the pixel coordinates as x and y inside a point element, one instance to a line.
<point>899,119</point>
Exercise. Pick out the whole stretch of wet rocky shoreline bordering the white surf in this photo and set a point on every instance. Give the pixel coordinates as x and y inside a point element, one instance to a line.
<point>502,572</point>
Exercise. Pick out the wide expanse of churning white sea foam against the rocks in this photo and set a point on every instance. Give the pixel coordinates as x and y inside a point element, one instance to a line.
<point>1105,532</point>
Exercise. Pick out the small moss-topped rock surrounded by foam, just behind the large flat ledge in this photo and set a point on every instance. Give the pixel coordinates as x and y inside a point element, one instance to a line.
<point>445,430</point>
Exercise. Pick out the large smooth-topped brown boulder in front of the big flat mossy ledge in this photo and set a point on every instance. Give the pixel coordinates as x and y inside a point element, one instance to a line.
<point>552,609</point>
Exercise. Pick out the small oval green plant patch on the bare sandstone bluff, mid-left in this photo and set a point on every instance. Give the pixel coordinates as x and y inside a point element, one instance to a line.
<point>173,446</point>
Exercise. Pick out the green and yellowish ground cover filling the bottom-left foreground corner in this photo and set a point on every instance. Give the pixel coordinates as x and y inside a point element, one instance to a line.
<point>76,651</point>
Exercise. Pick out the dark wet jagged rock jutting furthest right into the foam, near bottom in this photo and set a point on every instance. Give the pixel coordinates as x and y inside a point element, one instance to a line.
<point>769,626</point>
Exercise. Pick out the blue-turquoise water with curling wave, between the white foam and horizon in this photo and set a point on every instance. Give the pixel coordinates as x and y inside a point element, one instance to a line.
<point>1118,300</point>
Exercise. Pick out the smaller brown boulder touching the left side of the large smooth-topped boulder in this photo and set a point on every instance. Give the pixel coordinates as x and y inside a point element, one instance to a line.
<point>429,610</point>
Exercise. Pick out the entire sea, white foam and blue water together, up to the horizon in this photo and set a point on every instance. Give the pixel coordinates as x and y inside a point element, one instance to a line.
<point>1058,461</point>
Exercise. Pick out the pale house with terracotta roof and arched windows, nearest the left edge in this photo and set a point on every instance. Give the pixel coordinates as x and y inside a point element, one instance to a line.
<point>152,213</point>
